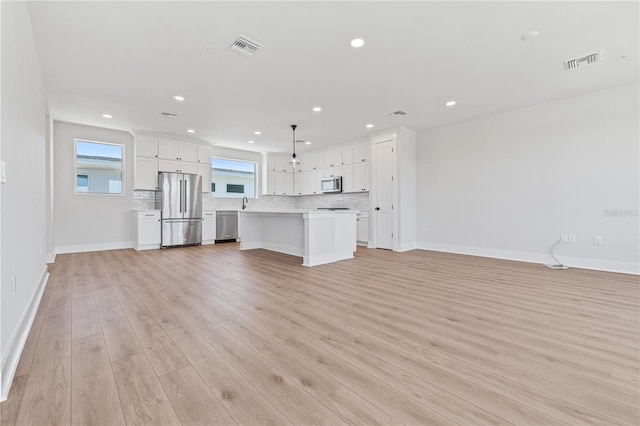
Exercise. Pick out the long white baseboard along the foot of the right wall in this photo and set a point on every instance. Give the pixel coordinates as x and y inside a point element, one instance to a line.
<point>573,262</point>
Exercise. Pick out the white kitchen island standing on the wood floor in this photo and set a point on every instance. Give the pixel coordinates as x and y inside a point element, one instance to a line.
<point>318,237</point>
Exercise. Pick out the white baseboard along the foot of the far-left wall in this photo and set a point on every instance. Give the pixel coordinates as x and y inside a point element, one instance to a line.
<point>12,355</point>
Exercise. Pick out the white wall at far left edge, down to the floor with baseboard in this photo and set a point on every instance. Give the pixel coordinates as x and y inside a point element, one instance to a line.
<point>23,207</point>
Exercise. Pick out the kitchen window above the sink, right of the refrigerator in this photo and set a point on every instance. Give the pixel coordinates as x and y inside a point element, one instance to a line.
<point>234,178</point>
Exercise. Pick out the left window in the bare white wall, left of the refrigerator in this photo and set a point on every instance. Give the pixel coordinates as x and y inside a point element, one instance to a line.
<point>99,167</point>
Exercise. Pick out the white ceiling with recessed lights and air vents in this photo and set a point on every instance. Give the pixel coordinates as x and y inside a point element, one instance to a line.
<point>128,59</point>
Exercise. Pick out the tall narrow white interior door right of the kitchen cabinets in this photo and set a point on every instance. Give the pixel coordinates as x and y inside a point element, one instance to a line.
<point>384,194</point>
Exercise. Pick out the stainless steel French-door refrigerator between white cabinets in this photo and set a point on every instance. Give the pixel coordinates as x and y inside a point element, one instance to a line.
<point>181,209</point>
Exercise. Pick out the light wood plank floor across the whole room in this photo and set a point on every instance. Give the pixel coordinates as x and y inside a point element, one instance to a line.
<point>212,335</point>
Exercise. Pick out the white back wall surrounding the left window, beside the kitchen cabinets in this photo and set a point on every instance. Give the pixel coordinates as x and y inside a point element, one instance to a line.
<point>85,222</point>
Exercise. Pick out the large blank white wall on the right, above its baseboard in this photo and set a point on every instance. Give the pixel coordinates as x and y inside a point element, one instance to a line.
<point>507,185</point>
